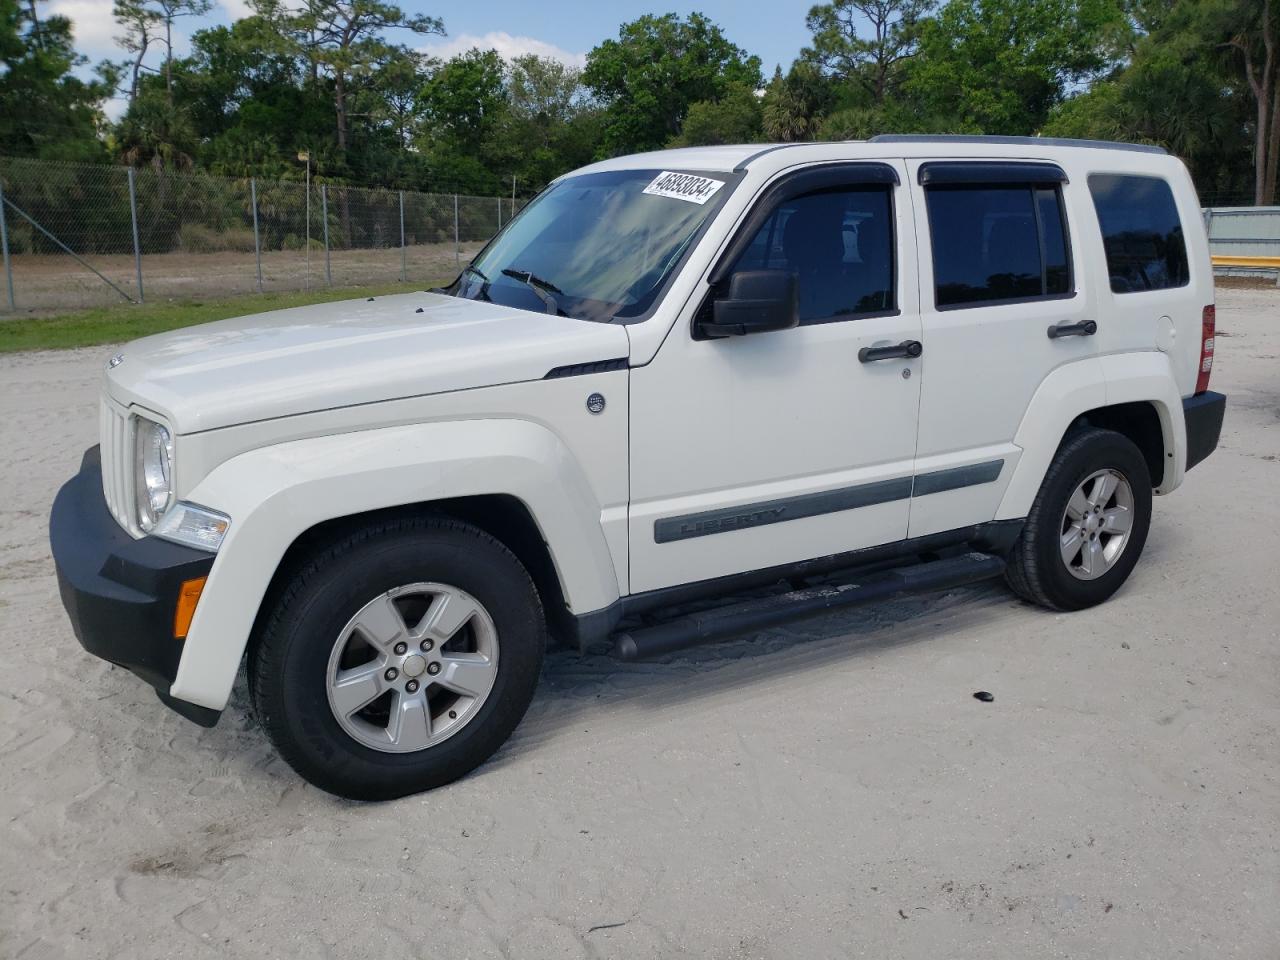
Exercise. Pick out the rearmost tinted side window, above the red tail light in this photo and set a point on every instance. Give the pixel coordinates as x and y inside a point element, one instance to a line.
<point>1141,234</point>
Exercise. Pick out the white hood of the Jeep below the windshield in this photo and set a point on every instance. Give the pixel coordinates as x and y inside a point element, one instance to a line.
<point>339,355</point>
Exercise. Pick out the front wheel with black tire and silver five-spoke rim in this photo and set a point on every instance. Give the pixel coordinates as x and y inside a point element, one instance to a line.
<point>301,653</point>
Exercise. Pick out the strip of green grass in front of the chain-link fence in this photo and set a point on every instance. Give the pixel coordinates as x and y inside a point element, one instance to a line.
<point>127,322</point>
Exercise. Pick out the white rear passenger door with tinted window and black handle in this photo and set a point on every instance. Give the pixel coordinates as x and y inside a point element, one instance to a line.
<point>996,273</point>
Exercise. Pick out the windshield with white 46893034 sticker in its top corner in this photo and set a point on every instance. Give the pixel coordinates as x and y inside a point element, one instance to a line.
<point>598,246</point>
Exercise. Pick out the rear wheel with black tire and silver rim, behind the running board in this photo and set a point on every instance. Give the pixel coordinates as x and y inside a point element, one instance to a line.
<point>1039,572</point>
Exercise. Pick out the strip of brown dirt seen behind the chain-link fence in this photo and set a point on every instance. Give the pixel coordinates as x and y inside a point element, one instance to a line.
<point>49,284</point>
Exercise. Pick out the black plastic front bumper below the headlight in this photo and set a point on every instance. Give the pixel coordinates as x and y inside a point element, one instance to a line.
<point>118,592</point>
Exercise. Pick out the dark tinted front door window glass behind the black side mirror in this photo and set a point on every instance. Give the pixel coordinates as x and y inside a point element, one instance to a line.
<point>840,246</point>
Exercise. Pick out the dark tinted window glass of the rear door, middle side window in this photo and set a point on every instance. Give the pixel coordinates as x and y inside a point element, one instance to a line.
<point>995,244</point>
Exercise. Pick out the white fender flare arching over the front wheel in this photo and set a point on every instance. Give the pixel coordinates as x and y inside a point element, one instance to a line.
<point>277,493</point>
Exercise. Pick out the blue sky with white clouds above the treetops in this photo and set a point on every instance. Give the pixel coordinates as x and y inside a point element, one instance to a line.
<point>563,29</point>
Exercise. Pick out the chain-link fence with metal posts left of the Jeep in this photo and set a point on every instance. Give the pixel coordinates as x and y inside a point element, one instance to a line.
<point>80,236</point>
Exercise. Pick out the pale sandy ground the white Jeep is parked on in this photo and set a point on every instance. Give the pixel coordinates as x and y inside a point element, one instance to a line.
<point>830,790</point>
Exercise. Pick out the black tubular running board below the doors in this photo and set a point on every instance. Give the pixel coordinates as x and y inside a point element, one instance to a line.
<point>749,616</point>
